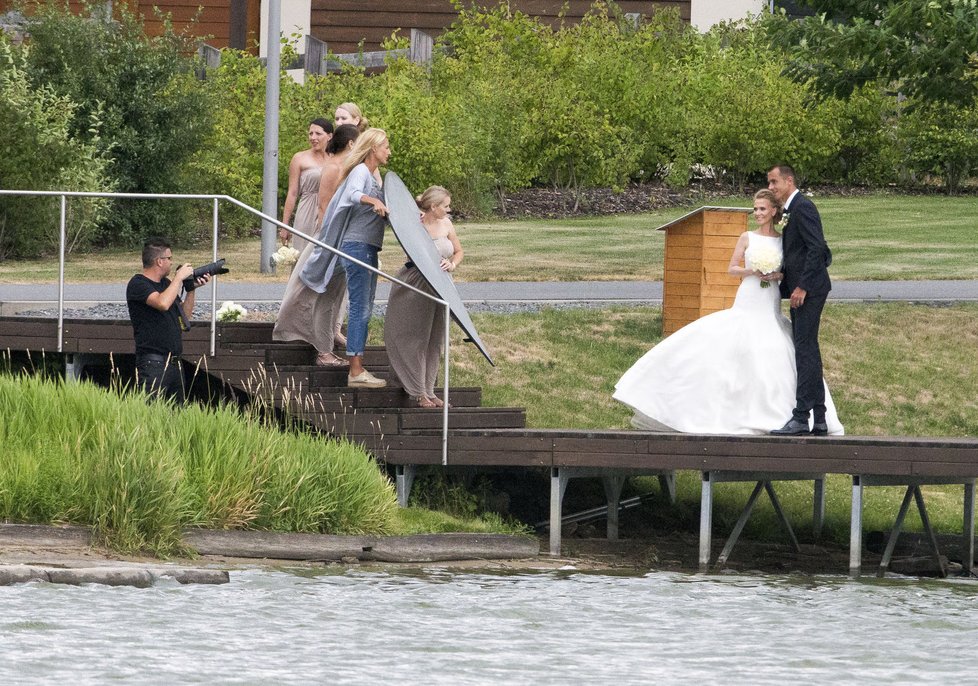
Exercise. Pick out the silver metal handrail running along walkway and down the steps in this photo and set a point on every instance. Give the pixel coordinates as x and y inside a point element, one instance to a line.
<point>64,195</point>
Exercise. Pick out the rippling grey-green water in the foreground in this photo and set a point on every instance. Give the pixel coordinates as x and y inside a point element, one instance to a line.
<point>442,627</point>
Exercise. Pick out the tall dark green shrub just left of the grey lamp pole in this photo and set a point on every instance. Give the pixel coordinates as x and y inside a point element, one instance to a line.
<point>142,90</point>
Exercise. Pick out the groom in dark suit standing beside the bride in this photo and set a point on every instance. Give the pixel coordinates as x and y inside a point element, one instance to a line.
<point>806,284</point>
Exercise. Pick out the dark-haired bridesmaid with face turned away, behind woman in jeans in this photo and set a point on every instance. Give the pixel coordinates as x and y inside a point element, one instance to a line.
<point>307,315</point>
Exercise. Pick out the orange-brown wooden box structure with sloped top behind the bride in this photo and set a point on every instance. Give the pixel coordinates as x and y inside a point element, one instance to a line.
<point>698,249</point>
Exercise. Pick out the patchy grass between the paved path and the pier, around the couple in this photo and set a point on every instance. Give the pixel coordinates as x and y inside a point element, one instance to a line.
<point>894,369</point>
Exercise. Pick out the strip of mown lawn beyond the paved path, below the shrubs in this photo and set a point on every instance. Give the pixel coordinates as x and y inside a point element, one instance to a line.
<point>873,237</point>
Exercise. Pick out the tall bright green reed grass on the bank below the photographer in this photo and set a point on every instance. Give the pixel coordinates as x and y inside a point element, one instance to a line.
<point>140,472</point>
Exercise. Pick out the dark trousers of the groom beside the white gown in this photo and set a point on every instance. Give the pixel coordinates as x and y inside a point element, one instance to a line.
<point>810,392</point>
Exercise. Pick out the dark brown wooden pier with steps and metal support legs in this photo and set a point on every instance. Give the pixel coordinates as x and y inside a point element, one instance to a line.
<point>406,438</point>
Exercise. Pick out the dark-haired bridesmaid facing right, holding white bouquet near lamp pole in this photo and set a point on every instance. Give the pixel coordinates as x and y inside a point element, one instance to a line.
<point>305,169</point>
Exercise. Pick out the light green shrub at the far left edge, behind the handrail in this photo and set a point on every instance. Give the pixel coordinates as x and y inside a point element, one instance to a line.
<point>41,153</point>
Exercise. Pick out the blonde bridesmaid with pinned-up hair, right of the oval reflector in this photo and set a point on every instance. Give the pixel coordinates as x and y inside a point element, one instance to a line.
<point>414,329</point>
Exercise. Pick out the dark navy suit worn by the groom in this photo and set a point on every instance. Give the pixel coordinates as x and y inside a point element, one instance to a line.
<point>806,259</point>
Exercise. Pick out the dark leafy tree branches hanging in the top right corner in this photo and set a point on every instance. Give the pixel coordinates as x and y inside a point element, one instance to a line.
<point>925,49</point>
